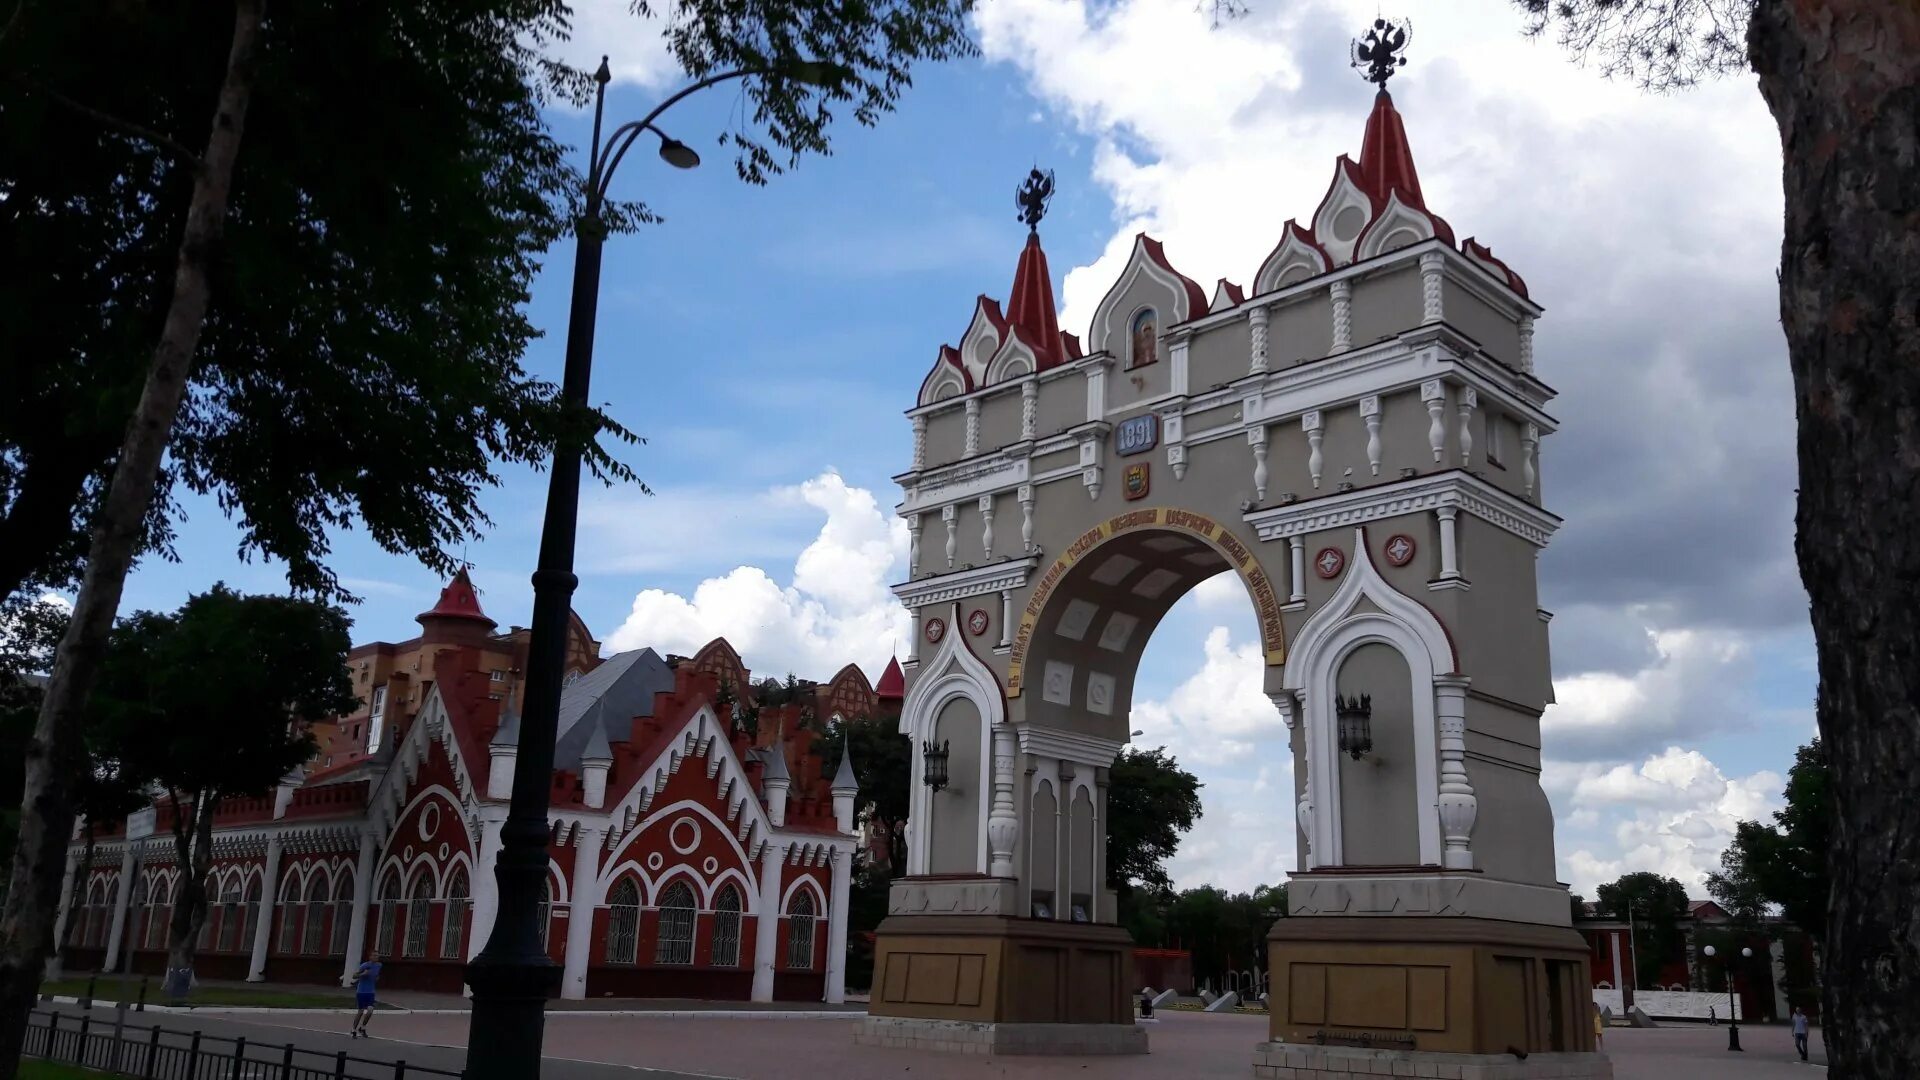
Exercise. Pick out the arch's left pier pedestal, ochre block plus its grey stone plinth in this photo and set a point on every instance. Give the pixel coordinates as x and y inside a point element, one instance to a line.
<point>1003,985</point>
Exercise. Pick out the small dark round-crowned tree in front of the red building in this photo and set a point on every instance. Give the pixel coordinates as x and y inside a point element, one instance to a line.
<point>222,706</point>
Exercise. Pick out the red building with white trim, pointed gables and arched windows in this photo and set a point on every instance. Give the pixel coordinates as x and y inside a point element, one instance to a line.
<point>690,858</point>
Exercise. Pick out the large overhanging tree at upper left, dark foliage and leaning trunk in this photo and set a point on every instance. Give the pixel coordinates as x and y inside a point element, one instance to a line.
<point>362,320</point>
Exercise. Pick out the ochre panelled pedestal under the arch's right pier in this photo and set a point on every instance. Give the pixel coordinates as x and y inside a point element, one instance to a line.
<point>1431,985</point>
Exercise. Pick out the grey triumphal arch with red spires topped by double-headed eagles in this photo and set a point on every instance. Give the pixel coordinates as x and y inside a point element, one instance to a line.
<point>1355,435</point>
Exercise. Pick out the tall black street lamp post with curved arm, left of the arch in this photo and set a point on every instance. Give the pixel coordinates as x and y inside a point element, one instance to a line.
<point>514,977</point>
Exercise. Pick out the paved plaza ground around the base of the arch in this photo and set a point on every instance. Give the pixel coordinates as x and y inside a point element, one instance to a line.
<point>604,1046</point>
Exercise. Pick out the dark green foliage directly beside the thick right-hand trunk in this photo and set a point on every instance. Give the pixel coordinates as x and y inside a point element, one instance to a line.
<point>1785,864</point>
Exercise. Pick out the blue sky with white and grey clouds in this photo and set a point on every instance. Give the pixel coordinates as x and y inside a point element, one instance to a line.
<point>767,343</point>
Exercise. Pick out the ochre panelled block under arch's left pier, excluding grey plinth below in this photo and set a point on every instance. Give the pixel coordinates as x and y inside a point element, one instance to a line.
<point>996,970</point>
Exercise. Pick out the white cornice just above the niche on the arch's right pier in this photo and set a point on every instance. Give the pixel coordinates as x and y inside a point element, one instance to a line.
<point>1408,497</point>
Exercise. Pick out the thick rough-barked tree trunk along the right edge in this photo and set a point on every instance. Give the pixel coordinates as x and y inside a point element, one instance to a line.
<point>1844,86</point>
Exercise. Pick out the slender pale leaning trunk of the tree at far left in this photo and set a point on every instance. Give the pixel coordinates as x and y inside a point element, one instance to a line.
<point>55,752</point>
